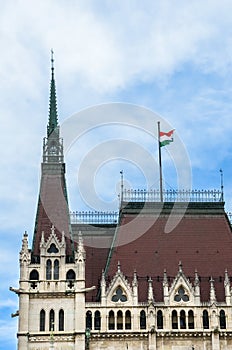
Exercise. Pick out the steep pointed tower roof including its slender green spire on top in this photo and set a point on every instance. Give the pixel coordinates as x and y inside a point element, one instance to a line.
<point>53,202</point>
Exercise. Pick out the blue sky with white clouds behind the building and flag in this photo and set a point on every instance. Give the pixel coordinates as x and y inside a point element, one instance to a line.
<point>170,58</point>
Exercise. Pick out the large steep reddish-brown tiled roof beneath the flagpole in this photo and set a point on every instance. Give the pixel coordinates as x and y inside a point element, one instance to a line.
<point>202,241</point>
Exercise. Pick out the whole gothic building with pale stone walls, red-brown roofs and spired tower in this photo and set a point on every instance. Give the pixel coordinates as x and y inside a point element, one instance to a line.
<point>150,290</point>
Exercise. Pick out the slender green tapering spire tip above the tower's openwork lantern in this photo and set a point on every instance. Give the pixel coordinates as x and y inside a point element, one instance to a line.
<point>53,117</point>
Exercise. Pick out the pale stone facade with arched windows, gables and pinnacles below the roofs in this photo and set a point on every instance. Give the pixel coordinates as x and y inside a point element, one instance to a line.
<point>53,313</point>
